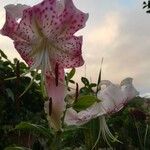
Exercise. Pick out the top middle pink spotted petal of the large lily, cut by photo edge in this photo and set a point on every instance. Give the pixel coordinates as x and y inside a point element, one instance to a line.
<point>46,16</point>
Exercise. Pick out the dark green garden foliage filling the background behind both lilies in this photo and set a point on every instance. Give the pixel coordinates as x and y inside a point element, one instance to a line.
<point>23,122</point>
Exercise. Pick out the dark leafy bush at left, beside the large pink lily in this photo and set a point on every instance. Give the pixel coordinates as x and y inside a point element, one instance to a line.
<point>13,108</point>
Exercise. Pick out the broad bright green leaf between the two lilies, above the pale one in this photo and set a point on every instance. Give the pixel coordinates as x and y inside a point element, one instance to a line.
<point>84,102</point>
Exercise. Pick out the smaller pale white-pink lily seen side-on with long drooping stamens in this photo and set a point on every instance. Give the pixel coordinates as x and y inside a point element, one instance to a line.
<point>112,99</point>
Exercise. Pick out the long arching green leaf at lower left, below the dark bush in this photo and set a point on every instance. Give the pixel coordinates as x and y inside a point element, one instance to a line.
<point>35,128</point>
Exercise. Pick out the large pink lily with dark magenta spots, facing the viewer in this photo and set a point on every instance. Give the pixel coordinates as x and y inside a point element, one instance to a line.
<point>44,37</point>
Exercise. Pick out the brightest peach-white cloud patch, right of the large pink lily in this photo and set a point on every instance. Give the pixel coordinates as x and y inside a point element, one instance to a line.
<point>106,32</point>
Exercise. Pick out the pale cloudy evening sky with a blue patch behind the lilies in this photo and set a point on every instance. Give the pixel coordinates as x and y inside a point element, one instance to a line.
<point>117,31</point>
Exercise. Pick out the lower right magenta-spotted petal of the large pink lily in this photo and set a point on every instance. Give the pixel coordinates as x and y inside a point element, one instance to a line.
<point>68,52</point>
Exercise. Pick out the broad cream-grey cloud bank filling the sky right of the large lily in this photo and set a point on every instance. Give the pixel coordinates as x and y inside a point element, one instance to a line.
<point>122,38</point>
